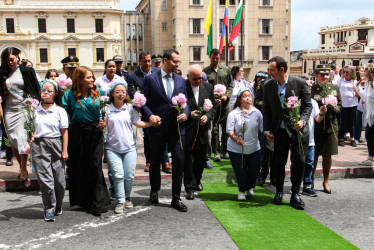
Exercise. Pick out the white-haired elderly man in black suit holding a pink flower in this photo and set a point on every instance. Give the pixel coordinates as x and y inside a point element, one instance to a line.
<point>196,151</point>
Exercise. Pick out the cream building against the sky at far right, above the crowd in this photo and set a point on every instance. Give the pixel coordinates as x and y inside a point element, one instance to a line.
<point>349,44</point>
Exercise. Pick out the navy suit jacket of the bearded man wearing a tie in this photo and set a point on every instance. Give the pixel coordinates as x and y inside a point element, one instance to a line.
<point>159,104</point>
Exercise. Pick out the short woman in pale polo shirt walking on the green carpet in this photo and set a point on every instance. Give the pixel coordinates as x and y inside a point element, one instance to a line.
<point>244,125</point>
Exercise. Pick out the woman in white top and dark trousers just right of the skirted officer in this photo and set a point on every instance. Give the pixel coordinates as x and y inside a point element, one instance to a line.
<point>349,102</point>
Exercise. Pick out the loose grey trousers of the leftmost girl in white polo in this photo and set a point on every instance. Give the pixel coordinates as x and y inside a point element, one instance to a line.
<point>50,171</point>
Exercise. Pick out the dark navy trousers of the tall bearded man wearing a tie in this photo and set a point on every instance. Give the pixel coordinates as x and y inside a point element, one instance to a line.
<point>158,143</point>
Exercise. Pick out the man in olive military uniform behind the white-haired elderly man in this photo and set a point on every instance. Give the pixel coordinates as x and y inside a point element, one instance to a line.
<point>219,74</point>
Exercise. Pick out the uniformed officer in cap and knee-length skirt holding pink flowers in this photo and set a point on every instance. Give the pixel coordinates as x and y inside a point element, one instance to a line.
<point>325,133</point>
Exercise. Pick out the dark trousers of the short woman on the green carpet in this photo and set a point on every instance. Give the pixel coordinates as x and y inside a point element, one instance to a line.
<point>246,176</point>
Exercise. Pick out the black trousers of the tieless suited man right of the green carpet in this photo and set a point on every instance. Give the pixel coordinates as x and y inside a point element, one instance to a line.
<point>282,143</point>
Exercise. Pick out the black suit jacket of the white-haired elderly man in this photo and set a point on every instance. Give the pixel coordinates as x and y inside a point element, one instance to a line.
<point>205,92</point>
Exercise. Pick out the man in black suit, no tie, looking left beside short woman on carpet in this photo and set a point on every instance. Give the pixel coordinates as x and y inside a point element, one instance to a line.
<point>279,128</point>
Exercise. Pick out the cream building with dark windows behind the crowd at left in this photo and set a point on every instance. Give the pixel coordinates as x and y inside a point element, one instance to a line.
<point>46,31</point>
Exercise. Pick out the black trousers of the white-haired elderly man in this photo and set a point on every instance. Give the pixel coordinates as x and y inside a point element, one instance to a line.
<point>194,164</point>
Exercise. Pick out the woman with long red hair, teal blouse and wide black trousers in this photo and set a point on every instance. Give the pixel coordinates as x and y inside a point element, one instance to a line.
<point>87,187</point>
